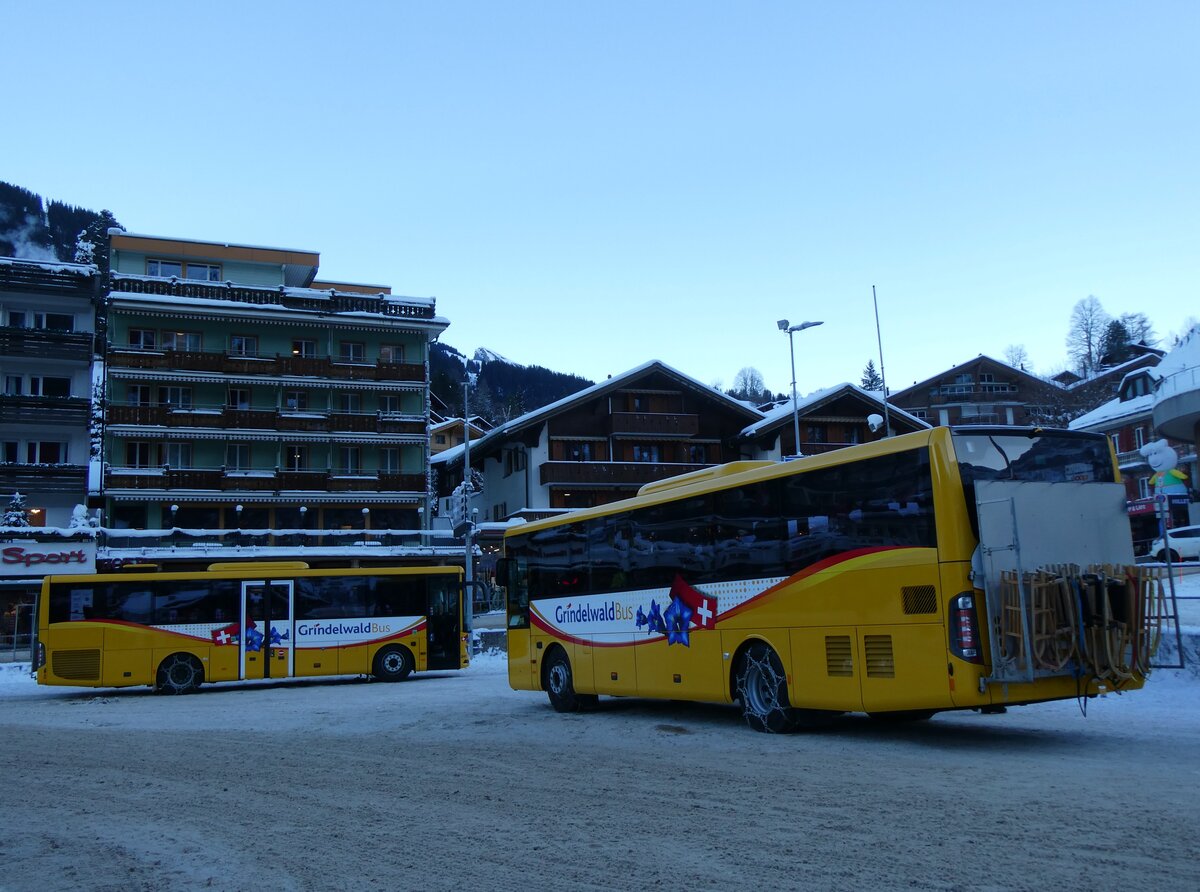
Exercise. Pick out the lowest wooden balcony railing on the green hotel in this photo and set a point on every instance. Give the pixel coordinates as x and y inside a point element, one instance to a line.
<point>224,481</point>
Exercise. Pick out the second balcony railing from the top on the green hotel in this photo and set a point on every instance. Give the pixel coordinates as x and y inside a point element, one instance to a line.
<point>272,366</point>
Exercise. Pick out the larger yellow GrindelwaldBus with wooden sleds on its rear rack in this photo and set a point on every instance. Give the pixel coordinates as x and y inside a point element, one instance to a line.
<point>946,570</point>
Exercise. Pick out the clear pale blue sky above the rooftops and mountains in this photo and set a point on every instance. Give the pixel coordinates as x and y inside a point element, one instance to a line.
<point>591,185</point>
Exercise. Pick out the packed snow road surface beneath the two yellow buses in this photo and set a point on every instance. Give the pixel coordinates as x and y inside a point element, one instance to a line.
<point>452,781</point>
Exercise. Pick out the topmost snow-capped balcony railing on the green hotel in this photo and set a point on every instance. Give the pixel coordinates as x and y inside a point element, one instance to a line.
<point>304,300</point>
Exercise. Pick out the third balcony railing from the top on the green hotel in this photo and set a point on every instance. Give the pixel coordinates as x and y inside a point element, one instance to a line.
<point>266,420</point>
